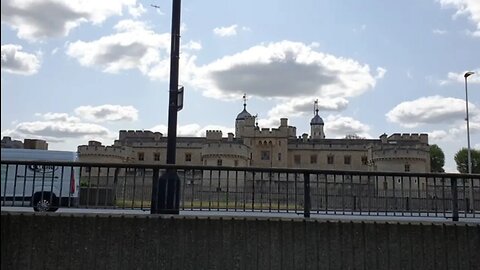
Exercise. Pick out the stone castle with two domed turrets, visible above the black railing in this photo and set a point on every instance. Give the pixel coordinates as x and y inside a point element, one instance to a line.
<point>252,146</point>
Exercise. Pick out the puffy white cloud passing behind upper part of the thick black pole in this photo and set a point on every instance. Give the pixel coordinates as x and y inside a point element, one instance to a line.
<point>134,46</point>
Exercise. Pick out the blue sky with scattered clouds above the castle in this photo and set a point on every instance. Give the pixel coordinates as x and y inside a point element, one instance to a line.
<point>80,70</point>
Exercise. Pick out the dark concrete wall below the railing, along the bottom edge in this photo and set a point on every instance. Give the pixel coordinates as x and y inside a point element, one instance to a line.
<point>59,241</point>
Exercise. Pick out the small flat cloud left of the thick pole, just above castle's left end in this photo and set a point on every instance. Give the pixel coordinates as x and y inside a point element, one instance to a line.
<point>107,112</point>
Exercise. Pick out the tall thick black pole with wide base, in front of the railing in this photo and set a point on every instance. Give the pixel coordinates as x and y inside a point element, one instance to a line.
<point>167,187</point>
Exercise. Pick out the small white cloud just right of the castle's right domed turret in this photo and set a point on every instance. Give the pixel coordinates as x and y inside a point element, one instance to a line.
<point>337,126</point>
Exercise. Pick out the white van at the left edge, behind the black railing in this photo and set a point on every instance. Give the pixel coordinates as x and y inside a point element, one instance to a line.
<point>44,187</point>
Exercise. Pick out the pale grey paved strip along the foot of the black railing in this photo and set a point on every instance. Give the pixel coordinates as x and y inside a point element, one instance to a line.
<point>204,213</point>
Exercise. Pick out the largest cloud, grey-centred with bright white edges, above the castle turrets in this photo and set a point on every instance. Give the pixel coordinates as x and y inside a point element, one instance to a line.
<point>283,70</point>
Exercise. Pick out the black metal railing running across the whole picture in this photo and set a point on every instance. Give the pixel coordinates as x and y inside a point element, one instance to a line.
<point>48,186</point>
